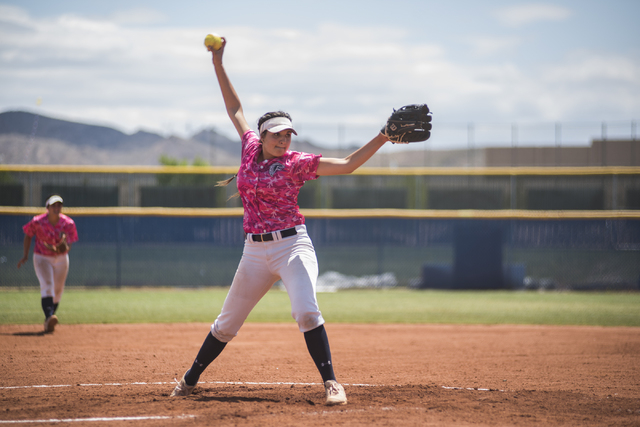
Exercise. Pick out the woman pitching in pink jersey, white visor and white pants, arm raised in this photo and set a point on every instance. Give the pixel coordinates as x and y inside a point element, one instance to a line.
<point>277,245</point>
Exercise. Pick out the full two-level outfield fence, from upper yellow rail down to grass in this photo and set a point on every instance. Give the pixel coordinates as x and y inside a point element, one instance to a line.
<point>573,228</point>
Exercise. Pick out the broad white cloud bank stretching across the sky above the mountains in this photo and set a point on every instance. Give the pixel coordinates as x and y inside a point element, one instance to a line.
<point>161,78</point>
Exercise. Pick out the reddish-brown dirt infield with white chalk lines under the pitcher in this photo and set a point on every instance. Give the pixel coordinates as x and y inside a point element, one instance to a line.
<point>394,375</point>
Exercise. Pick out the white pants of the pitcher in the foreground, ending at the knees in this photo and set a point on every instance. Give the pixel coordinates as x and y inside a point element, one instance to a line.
<point>292,259</point>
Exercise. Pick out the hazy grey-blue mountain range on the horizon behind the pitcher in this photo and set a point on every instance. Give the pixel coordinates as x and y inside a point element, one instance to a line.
<point>27,138</point>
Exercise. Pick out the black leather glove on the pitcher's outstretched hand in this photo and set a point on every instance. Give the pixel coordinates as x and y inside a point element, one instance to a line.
<point>411,123</point>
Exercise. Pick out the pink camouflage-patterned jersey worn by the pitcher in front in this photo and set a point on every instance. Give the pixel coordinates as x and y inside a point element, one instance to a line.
<point>269,190</point>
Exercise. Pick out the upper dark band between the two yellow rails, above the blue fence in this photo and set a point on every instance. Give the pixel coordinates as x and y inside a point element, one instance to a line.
<point>611,188</point>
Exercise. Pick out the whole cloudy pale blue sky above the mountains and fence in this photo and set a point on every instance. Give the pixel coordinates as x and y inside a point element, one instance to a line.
<point>339,67</point>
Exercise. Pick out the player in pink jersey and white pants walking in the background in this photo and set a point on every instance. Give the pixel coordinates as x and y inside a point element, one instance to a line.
<point>54,233</point>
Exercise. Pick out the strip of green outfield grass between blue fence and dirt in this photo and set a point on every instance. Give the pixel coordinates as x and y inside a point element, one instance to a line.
<point>81,306</point>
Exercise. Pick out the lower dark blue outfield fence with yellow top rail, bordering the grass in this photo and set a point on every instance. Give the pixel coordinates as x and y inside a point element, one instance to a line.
<point>372,248</point>
